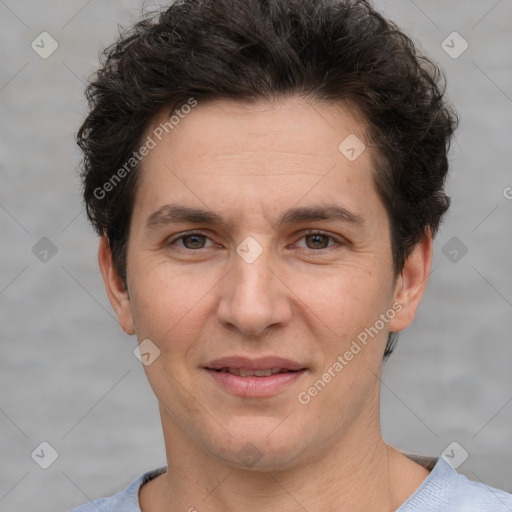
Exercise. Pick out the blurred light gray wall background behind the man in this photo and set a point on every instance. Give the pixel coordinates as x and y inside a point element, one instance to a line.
<point>68,374</point>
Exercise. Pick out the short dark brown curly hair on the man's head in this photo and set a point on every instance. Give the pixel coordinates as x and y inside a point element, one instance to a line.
<point>328,50</point>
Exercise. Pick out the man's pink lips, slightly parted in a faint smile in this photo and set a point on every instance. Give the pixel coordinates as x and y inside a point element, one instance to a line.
<point>253,386</point>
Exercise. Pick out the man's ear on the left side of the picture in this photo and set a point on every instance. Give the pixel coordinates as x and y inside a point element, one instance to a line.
<point>116,291</point>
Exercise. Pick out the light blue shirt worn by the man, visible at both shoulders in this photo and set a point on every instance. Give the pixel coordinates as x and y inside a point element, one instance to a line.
<point>444,490</point>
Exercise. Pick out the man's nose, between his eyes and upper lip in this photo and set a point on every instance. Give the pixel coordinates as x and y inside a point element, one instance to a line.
<point>253,298</point>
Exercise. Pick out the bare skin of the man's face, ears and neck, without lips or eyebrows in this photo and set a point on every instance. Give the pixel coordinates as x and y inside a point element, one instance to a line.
<point>303,298</point>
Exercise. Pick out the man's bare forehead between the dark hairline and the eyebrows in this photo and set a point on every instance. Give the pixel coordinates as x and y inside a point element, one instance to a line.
<point>256,156</point>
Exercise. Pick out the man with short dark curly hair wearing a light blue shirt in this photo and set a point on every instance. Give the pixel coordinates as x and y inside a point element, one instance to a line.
<point>266,178</point>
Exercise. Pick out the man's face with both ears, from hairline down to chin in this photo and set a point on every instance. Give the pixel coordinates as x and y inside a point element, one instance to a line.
<point>259,265</point>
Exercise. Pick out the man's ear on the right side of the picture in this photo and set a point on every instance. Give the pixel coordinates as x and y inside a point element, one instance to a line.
<point>411,283</point>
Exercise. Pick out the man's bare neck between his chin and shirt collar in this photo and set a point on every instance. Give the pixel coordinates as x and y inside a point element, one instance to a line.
<point>358,472</point>
